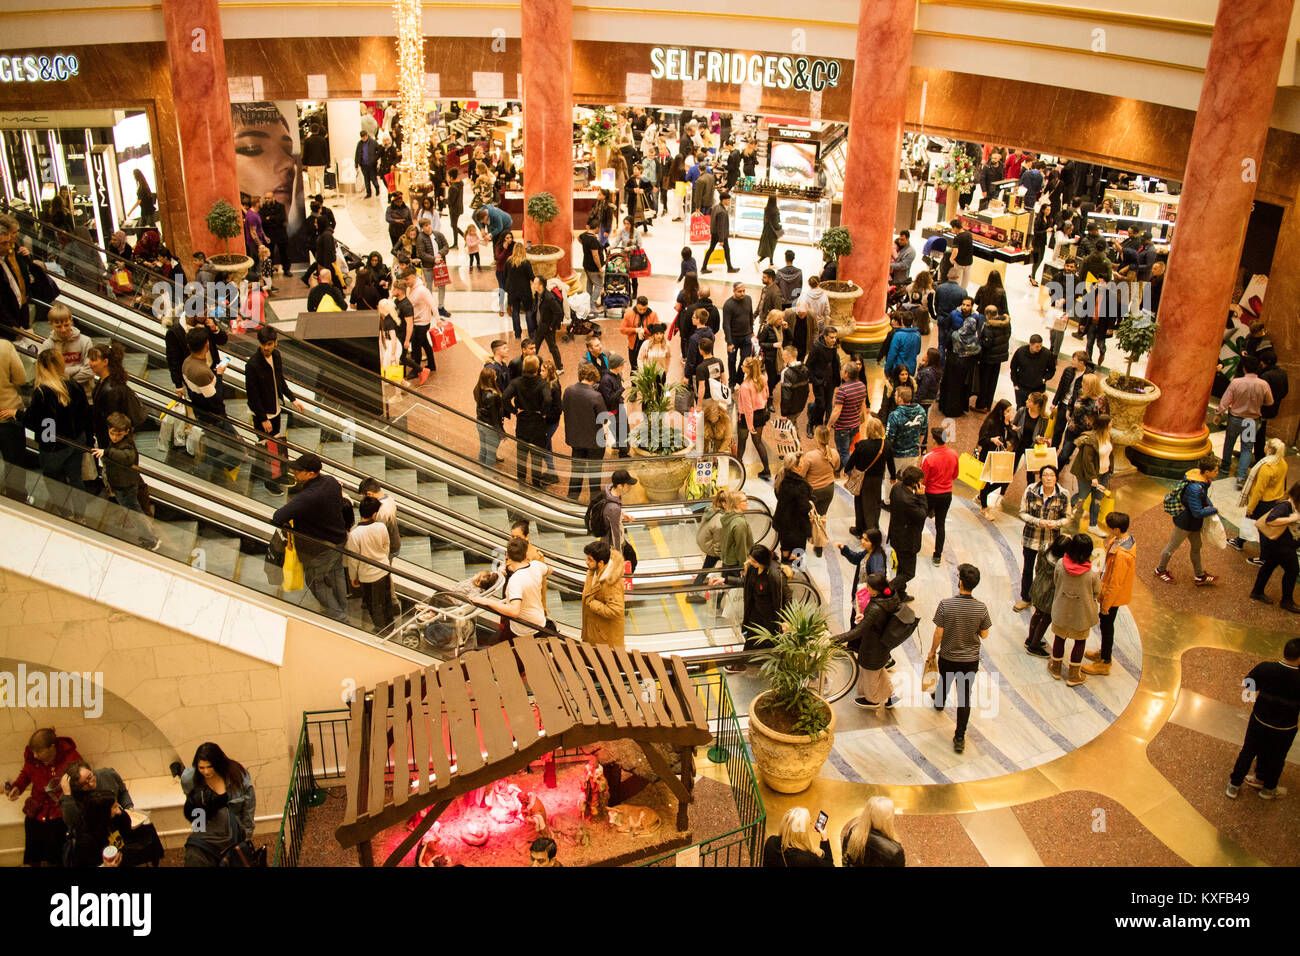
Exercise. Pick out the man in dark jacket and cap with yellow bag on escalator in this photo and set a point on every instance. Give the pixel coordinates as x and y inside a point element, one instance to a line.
<point>322,517</point>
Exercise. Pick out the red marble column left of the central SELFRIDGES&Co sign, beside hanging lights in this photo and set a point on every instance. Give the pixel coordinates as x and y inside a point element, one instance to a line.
<point>548,68</point>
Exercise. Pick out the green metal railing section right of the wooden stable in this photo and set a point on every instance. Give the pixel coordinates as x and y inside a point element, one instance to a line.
<point>739,847</point>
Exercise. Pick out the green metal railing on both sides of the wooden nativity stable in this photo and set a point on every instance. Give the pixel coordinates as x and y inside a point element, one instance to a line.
<point>322,755</point>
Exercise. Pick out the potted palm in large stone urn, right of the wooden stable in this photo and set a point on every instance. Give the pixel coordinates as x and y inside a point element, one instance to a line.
<point>792,726</point>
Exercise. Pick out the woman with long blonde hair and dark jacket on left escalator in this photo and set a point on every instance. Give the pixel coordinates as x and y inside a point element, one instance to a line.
<point>59,413</point>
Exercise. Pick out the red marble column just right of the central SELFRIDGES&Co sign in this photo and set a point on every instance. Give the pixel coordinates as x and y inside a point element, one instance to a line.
<point>876,145</point>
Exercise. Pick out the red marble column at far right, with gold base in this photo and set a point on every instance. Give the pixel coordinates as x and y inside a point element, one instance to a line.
<point>1219,188</point>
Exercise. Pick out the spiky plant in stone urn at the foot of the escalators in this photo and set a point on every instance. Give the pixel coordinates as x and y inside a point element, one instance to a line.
<point>658,434</point>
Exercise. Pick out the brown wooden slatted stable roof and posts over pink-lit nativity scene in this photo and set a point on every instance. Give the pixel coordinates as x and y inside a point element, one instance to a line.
<point>487,715</point>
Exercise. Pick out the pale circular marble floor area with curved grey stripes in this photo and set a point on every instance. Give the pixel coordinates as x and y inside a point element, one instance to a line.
<point>1022,719</point>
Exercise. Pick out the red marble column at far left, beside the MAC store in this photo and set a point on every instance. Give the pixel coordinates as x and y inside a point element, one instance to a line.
<point>198,60</point>
